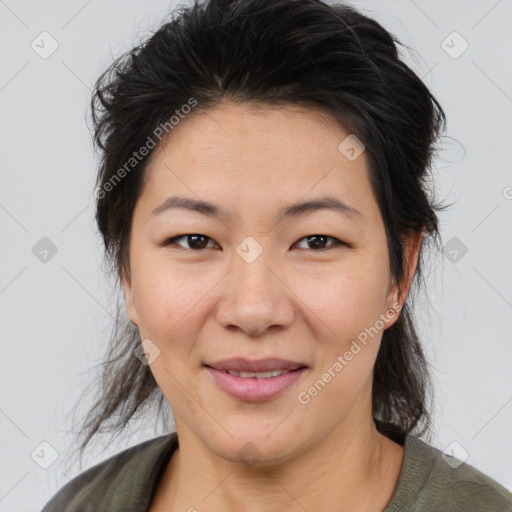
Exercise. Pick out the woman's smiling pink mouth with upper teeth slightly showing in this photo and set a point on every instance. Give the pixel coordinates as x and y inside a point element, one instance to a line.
<point>255,381</point>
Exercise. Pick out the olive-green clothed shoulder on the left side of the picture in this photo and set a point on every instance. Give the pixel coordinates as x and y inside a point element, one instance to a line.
<point>118,482</point>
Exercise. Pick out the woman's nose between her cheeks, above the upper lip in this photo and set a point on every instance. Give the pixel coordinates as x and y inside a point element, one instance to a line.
<point>255,297</point>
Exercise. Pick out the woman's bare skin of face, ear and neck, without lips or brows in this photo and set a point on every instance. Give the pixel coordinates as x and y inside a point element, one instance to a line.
<point>295,301</point>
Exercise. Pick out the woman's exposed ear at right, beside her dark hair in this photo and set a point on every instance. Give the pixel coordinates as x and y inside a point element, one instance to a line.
<point>412,244</point>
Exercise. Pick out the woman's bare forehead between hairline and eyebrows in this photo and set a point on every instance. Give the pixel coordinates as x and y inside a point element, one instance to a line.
<point>258,156</point>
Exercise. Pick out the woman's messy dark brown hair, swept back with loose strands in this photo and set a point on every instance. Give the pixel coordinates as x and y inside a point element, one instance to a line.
<point>275,53</point>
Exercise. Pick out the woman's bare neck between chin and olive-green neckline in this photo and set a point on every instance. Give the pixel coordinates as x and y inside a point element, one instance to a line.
<point>356,471</point>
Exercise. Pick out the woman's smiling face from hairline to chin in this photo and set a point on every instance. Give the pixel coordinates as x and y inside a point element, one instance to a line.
<point>257,284</point>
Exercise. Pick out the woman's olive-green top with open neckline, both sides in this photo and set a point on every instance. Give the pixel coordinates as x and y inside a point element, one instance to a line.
<point>127,482</point>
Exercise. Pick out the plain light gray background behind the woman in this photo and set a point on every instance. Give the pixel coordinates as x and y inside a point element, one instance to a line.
<point>55,316</point>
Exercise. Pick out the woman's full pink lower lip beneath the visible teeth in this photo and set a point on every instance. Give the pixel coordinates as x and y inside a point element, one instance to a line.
<point>252,389</point>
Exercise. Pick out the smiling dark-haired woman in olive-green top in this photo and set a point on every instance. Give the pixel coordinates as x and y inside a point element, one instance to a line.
<point>262,198</point>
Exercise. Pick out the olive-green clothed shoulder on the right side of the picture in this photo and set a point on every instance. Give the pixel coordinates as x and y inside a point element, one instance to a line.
<point>431,480</point>
